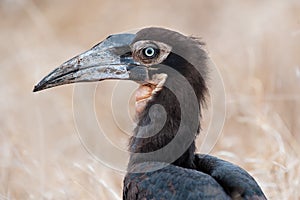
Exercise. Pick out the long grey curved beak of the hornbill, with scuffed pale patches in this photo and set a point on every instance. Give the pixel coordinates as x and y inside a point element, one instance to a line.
<point>110,59</point>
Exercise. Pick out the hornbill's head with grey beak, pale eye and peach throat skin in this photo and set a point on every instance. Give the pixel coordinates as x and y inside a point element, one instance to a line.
<point>151,57</point>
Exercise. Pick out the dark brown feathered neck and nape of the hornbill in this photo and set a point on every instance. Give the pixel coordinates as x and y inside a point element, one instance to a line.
<point>170,121</point>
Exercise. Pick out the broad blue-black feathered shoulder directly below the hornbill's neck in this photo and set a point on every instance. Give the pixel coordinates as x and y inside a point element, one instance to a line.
<point>172,182</point>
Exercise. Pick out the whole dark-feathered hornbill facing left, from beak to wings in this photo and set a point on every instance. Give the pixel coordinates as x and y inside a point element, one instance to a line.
<point>172,71</point>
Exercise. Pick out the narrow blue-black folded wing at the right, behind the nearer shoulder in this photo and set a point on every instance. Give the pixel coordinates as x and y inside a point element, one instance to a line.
<point>235,180</point>
